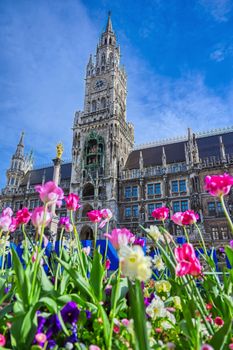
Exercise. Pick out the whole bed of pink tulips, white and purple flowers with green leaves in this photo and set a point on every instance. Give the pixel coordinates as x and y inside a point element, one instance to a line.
<point>72,301</point>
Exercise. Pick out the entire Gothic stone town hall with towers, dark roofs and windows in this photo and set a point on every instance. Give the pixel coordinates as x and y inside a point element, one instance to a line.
<point>108,171</point>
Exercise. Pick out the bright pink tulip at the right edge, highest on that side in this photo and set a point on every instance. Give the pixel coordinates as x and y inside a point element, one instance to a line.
<point>218,185</point>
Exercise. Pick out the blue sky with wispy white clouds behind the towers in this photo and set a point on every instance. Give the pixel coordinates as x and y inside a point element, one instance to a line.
<point>178,56</point>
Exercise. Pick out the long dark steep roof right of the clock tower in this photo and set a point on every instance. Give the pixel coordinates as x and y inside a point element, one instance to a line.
<point>152,155</point>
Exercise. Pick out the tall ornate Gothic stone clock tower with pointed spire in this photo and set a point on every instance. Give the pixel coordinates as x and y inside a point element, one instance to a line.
<point>102,138</point>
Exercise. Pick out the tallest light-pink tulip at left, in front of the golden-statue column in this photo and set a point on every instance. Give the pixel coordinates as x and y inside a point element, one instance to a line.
<point>50,193</point>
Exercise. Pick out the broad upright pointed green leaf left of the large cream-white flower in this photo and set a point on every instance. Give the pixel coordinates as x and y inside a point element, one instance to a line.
<point>97,275</point>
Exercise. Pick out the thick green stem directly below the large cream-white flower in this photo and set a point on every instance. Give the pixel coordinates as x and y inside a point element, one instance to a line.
<point>138,314</point>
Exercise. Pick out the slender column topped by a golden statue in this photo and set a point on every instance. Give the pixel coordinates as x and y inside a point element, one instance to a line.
<point>56,177</point>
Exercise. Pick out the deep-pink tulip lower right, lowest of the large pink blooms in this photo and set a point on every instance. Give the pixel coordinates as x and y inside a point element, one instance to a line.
<point>188,264</point>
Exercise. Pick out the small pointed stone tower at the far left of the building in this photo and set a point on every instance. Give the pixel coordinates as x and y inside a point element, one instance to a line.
<point>17,168</point>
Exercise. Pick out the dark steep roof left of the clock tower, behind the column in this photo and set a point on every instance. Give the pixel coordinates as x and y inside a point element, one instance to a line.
<point>36,175</point>
